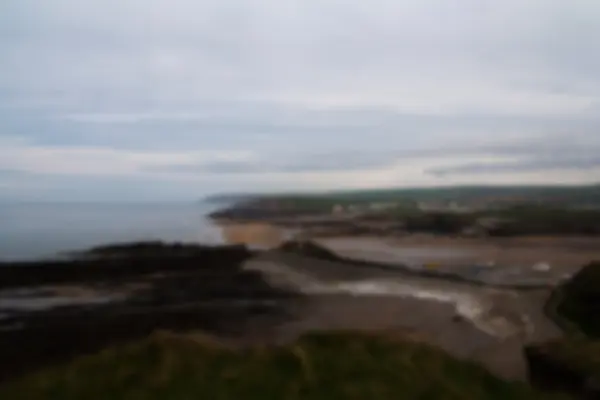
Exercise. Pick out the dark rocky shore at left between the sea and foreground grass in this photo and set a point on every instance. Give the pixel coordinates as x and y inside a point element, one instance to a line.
<point>51,311</point>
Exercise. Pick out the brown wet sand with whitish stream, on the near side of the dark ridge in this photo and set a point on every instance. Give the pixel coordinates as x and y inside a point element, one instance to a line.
<point>487,325</point>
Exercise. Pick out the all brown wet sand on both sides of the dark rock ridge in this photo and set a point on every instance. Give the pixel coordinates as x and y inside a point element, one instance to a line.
<point>488,325</point>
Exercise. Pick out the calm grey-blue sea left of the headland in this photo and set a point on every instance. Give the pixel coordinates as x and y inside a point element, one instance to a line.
<point>31,231</point>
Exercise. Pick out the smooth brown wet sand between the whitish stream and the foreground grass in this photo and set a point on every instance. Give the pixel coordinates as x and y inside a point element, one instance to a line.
<point>422,320</point>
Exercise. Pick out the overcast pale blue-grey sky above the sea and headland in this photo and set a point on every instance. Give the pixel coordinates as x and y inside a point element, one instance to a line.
<point>174,99</point>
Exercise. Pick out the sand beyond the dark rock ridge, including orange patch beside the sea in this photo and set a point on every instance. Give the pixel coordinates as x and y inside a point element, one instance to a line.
<point>564,254</point>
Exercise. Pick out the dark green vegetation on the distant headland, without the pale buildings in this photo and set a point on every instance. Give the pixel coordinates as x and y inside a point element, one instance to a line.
<point>534,211</point>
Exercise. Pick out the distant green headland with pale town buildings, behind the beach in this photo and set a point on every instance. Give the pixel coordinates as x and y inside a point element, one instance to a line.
<point>469,211</point>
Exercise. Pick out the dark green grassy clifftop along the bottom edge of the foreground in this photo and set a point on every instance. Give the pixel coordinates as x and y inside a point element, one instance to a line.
<point>319,366</point>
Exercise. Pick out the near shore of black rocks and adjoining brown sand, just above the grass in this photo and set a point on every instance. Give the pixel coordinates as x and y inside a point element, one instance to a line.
<point>269,297</point>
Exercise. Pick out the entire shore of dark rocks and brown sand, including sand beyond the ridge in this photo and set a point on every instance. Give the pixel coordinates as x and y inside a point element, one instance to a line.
<point>274,295</point>
